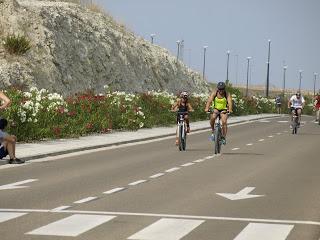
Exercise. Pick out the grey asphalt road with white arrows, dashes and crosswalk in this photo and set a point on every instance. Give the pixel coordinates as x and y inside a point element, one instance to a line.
<point>264,185</point>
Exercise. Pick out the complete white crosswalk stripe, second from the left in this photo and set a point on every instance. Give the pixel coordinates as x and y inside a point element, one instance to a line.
<point>72,226</point>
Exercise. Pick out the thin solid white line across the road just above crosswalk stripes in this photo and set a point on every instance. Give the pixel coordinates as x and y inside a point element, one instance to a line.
<point>282,221</point>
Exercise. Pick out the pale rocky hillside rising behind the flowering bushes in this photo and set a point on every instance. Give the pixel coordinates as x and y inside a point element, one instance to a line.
<point>74,49</point>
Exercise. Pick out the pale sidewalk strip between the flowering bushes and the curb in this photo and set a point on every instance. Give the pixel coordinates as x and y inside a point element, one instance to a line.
<point>29,151</point>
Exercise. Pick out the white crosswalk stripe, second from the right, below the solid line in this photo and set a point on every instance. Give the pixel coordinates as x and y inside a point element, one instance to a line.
<point>168,229</point>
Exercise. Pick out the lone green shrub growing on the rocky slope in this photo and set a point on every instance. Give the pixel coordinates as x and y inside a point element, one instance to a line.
<point>16,44</point>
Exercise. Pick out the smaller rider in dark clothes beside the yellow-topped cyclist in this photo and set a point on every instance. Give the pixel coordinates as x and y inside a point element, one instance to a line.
<point>182,105</point>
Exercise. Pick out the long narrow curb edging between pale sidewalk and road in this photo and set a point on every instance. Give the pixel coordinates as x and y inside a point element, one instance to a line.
<point>127,142</point>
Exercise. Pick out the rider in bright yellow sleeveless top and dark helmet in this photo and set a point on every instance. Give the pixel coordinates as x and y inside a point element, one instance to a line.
<point>221,102</point>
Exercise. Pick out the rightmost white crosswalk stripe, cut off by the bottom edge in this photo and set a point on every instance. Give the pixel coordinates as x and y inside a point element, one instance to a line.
<point>262,231</point>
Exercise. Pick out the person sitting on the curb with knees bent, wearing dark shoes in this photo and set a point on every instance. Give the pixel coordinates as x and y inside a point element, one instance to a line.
<point>8,144</point>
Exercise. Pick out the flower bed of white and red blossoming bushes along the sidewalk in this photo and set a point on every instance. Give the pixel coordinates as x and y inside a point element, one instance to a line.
<point>38,114</point>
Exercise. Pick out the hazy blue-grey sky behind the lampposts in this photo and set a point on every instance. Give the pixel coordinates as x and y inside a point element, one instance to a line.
<point>241,26</point>
